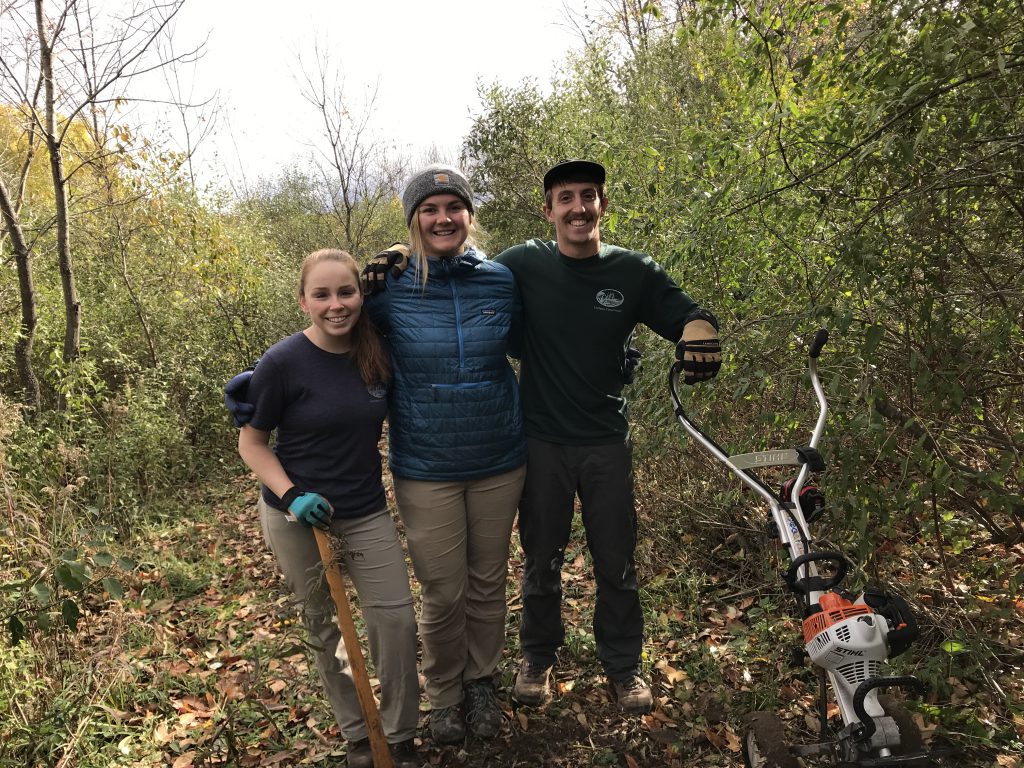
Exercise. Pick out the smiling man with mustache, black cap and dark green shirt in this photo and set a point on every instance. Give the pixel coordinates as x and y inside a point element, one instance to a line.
<point>582,302</point>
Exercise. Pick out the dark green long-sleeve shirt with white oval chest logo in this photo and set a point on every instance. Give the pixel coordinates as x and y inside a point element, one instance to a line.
<point>579,316</point>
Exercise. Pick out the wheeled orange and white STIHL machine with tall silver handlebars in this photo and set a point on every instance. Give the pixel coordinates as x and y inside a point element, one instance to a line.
<point>847,639</point>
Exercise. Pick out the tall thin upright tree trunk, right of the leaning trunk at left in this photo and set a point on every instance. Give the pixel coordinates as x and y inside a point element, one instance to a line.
<point>54,145</point>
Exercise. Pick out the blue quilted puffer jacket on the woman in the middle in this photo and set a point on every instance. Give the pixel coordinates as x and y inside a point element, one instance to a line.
<point>455,410</point>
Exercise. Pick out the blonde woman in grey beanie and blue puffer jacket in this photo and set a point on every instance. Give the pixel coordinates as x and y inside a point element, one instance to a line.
<point>457,448</point>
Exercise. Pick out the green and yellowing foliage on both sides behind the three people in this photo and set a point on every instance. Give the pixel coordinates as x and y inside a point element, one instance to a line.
<point>856,165</point>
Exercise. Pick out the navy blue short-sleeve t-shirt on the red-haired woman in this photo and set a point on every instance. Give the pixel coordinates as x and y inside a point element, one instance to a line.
<point>328,423</point>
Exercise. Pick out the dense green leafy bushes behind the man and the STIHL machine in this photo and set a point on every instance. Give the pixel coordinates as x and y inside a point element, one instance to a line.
<point>856,167</point>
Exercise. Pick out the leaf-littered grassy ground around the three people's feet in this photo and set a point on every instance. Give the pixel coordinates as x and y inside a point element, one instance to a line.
<point>203,662</point>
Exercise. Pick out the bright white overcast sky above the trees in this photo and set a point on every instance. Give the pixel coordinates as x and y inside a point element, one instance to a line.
<point>424,59</point>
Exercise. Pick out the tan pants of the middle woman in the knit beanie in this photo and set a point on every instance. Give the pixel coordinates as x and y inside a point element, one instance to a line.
<point>458,534</point>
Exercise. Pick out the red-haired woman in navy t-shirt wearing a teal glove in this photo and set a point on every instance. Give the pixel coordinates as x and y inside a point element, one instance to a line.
<point>324,392</point>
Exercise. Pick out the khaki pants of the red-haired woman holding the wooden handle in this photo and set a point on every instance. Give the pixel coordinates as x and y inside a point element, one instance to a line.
<point>376,566</point>
